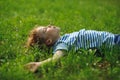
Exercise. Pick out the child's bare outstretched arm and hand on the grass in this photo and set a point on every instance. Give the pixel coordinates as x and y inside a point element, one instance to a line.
<point>33,66</point>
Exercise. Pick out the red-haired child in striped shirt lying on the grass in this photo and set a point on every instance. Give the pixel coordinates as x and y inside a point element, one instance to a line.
<point>85,39</point>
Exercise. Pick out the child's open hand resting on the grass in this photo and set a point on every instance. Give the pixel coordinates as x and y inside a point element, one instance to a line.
<point>32,66</point>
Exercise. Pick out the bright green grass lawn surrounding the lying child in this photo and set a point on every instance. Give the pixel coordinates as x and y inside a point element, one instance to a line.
<point>18,17</point>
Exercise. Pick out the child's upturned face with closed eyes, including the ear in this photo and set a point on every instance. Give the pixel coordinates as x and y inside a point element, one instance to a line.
<point>49,32</point>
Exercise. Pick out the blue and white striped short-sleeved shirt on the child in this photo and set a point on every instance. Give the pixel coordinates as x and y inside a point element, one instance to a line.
<point>84,39</point>
